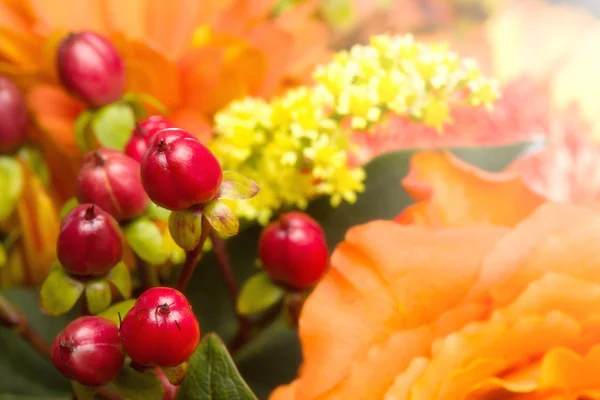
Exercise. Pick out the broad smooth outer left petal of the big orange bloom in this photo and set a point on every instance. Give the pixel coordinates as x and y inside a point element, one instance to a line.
<point>378,294</point>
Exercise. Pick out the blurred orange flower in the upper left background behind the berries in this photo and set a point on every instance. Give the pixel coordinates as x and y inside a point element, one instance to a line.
<point>194,56</point>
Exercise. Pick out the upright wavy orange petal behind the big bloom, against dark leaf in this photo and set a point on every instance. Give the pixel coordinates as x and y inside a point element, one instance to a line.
<point>451,192</point>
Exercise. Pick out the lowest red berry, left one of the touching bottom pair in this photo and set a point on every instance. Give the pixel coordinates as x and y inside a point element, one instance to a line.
<point>89,351</point>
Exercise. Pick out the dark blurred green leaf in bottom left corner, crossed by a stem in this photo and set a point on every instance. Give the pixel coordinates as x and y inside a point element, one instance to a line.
<point>24,372</point>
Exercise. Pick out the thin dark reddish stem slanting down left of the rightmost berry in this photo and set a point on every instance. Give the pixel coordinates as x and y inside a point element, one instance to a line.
<point>220,248</point>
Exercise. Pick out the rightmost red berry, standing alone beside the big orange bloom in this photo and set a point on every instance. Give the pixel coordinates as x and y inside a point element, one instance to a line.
<point>293,250</point>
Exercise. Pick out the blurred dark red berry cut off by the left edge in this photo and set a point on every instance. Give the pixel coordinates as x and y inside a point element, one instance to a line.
<point>13,117</point>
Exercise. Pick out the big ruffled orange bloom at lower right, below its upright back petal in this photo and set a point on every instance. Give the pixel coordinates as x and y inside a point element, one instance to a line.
<point>479,312</point>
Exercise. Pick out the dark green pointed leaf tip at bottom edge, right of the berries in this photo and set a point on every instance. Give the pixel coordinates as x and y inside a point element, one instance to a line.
<point>213,375</point>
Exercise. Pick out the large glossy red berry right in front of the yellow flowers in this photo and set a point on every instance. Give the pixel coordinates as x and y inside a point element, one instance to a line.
<point>178,171</point>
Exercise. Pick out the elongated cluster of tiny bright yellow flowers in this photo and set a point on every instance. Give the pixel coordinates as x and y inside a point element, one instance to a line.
<point>296,146</point>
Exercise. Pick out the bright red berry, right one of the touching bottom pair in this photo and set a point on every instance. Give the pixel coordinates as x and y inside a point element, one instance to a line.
<point>161,329</point>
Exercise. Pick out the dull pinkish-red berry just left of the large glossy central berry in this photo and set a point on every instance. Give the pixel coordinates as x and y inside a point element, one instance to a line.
<point>111,180</point>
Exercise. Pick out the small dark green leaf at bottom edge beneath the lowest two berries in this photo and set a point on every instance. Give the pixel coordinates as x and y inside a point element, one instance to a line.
<point>139,385</point>
